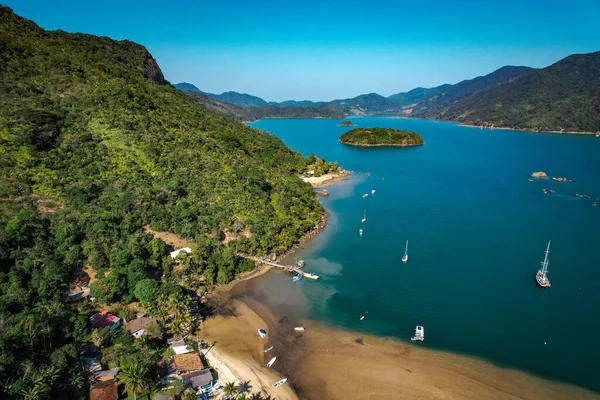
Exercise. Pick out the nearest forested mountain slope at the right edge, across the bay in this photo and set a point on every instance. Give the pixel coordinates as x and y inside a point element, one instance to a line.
<point>564,96</point>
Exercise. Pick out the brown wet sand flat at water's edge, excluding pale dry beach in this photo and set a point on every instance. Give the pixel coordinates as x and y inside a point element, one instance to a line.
<point>336,363</point>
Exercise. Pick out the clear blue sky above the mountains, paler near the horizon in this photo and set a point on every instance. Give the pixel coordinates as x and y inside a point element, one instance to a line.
<point>322,50</point>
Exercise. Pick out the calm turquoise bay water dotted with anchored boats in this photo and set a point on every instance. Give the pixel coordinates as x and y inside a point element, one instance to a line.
<point>477,231</point>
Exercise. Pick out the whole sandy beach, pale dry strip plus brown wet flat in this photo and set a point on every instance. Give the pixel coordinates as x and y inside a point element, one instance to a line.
<point>329,363</point>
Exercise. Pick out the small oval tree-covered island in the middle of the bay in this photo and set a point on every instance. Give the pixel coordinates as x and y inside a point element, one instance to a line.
<point>381,137</point>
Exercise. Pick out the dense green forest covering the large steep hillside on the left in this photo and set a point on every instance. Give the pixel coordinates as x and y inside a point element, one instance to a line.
<point>95,145</point>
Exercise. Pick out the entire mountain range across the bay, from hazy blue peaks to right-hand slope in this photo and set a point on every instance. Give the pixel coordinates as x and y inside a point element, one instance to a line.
<point>562,97</point>
